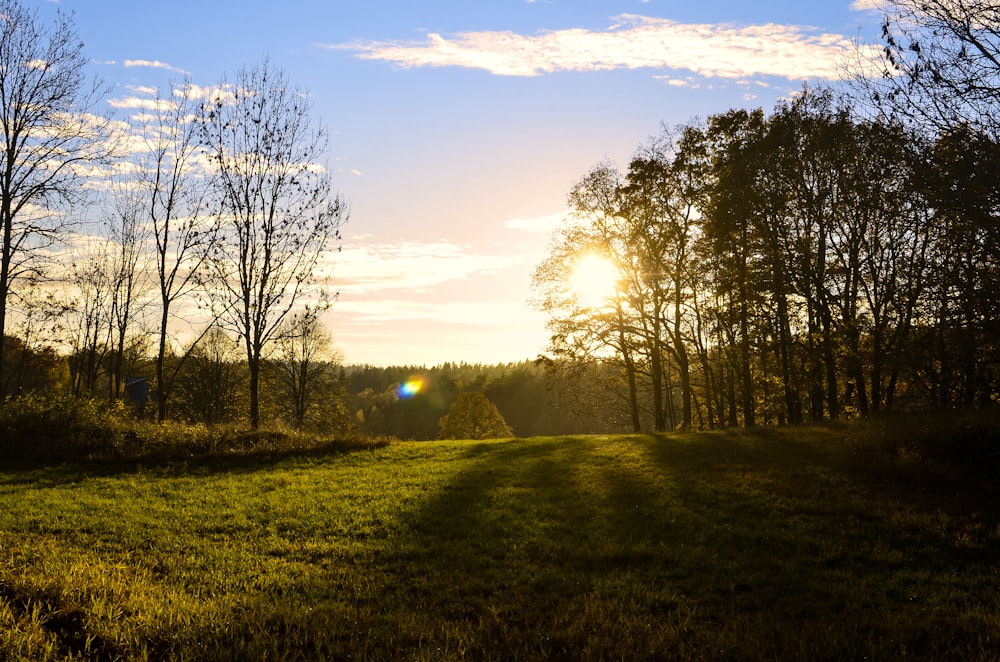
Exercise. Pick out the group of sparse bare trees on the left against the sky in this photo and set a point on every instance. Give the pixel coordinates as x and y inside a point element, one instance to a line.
<point>213,205</point>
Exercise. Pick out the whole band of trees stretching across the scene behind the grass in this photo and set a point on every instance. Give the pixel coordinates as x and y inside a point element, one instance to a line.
<point>834,257</point>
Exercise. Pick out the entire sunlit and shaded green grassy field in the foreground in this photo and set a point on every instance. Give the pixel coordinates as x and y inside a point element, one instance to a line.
<point>763,545</point>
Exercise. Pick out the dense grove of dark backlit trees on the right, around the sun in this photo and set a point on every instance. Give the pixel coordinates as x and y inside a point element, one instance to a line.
<point>835,257</point>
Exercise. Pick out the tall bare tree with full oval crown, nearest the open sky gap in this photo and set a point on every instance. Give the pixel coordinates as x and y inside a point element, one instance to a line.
<point>279,210</point>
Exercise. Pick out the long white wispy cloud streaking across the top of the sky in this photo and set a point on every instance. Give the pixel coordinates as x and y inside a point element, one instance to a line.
<point>632,42</point>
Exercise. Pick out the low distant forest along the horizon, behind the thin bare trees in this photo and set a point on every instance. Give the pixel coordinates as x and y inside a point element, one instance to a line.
<point>335,399</point>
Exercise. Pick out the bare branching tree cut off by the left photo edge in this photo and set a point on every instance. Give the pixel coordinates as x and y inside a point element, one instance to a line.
<point>47,133</point>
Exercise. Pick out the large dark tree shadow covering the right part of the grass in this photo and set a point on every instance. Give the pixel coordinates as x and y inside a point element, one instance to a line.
<point>745,546</point>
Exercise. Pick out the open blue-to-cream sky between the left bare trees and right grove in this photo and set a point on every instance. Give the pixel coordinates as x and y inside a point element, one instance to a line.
<point>457,128</point>
